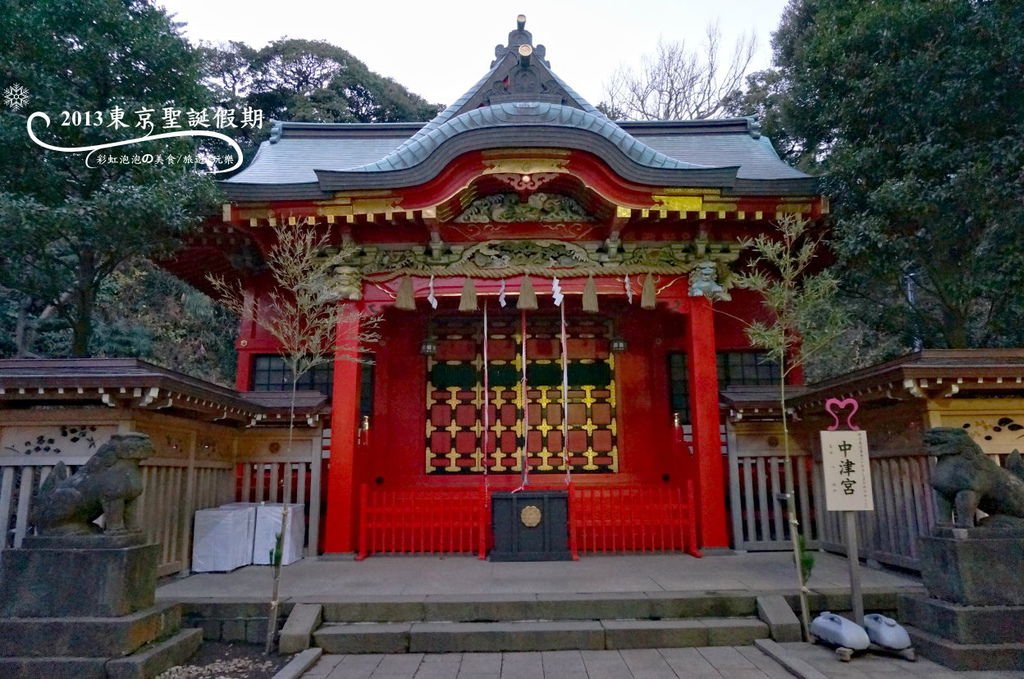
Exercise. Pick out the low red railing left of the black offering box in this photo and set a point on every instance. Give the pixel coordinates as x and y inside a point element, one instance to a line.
<point>423,522</point>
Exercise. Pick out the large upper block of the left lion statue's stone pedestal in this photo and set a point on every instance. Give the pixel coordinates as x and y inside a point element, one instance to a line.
<point>88,583</point>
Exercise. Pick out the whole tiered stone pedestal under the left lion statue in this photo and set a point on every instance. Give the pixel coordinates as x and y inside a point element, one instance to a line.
<point>82,608</point>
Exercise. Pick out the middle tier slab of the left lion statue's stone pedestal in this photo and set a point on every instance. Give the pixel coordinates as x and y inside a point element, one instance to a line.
<point>87,638</point>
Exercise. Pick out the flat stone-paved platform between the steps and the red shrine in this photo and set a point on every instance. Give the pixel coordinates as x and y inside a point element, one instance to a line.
<point>320,580</point>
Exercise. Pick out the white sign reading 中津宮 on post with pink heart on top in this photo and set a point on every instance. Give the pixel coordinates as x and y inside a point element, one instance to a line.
<point>847,475</point>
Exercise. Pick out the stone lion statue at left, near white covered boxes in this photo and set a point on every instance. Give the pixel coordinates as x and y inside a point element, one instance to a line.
<point>107,485</point>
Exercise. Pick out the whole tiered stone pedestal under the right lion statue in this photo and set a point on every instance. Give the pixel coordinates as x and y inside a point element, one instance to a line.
<point>973,617</point>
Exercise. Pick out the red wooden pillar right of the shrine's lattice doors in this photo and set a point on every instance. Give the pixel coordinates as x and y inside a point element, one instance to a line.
<point>705,417</point>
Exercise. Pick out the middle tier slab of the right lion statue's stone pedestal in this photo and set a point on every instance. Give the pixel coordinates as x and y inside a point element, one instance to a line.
<point>965,625</point>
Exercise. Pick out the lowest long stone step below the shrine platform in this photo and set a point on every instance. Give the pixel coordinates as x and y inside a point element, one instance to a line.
<point>537,635</point>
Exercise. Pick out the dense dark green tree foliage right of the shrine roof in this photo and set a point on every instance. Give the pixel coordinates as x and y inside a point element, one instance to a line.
<point>913,110</point>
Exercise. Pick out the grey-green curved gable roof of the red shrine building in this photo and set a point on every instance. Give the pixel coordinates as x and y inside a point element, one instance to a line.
<point>520,103</point>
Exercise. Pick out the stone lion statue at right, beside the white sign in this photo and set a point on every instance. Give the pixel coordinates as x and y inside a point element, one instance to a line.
<point>967,481</point>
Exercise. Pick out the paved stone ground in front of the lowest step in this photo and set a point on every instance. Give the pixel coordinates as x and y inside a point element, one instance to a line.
<point>708,663</point>
